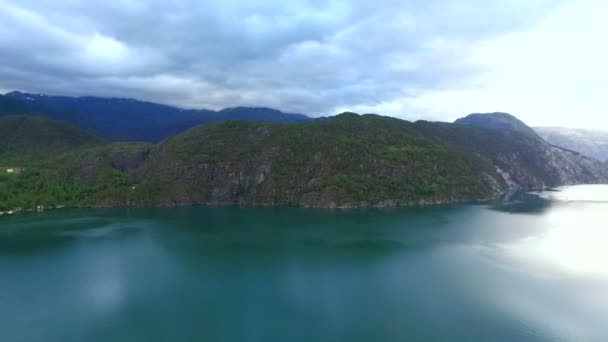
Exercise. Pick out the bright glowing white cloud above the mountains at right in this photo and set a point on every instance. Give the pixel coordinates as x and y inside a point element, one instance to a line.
<point>552,74</point>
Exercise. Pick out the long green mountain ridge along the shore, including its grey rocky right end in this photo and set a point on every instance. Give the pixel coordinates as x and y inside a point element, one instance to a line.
<point>344,161</point>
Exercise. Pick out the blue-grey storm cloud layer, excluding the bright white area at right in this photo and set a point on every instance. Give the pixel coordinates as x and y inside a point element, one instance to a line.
<point>308,56</point>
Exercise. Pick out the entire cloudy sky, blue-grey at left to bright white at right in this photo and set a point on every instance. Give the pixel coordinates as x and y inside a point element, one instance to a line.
<point>541,60</point>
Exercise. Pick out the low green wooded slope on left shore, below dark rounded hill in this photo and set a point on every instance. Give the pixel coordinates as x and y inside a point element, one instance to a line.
<point>89,175</point>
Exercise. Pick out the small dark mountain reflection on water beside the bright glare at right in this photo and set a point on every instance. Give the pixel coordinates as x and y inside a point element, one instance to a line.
<point>523,203</point>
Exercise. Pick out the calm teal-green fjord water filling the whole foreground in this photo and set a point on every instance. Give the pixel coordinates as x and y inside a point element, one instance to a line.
<point>533,267</point>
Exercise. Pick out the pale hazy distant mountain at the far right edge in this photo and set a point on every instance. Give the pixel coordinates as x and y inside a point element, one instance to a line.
<point>592,143</point>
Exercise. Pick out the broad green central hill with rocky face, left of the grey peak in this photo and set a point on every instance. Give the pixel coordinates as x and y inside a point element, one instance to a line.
<point>348,160</point>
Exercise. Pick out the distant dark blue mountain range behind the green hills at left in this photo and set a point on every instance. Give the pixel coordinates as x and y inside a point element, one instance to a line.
<point>130,120</point>
